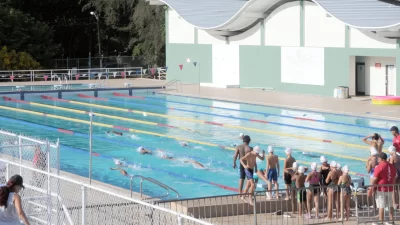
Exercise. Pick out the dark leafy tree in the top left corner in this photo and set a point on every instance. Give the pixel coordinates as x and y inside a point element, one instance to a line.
<point>23,33</point>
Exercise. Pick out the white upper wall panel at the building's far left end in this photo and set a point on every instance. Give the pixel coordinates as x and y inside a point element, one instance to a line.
<point>179,31</point>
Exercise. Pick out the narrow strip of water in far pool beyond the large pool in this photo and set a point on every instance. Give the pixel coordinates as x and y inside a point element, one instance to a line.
<point>42,87</point>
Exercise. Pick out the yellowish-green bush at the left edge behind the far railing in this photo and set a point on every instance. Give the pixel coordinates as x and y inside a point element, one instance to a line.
<point>12,60</point>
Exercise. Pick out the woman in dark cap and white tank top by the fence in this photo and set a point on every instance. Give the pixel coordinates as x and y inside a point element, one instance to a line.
<point>11,212</point>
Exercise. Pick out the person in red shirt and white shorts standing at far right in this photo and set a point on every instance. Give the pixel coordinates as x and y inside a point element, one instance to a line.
<point>384,174</point>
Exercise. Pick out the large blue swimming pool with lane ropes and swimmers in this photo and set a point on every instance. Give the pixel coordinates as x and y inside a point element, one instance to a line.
<point>158,121</point>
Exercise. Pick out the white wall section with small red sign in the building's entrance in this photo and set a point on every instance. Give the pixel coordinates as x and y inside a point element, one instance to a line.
<point>376,77</point>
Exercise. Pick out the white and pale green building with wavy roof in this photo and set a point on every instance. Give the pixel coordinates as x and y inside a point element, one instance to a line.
<point>308,47</point>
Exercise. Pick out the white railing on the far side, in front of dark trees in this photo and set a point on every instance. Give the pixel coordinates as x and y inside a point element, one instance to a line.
<point>69,74</point>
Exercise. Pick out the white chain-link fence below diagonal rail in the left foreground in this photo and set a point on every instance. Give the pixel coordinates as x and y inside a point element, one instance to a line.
<point>67,201</point>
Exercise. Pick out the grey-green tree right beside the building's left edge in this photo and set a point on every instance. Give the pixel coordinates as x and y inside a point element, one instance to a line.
<point>140,28</point>
